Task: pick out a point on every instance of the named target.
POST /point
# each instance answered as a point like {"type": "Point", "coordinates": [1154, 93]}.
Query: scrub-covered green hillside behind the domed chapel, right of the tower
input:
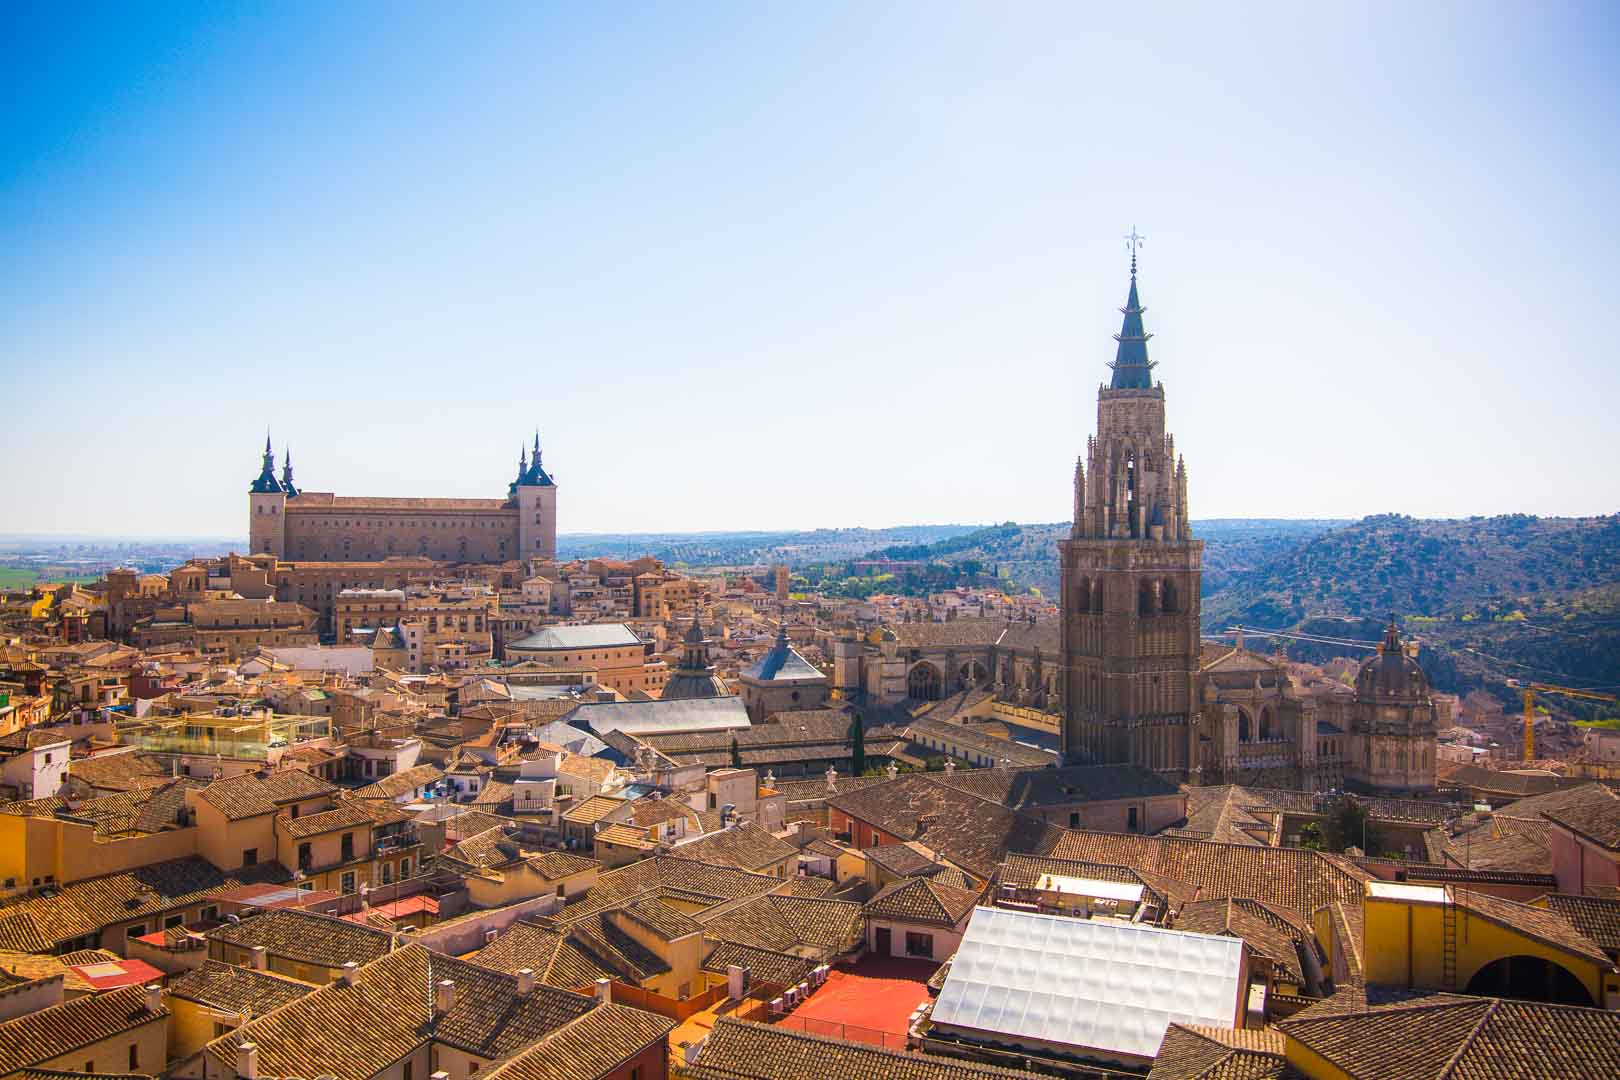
{"type": "Point", "coordinates": [1488, 598]}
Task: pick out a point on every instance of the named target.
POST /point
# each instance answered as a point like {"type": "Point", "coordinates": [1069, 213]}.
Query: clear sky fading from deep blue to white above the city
{"type": "Point", "coordinates": [777, 266]}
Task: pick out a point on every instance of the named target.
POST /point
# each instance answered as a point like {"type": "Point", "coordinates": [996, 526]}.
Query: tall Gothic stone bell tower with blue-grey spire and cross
{"type": "Point", "coordinates": [1132, 577]}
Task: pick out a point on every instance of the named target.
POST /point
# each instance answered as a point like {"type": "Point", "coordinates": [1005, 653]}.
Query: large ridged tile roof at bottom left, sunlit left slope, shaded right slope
{"type": "Point", "coordinates": [390, 1011]}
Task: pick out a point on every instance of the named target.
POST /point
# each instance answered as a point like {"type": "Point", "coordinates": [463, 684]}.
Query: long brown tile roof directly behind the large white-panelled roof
{"type": "Point", "coordinates": [1295, 878]}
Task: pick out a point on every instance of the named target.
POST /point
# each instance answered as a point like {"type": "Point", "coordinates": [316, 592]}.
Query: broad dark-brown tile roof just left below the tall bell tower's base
{"type": "Point", "coordinates": [966, 830]}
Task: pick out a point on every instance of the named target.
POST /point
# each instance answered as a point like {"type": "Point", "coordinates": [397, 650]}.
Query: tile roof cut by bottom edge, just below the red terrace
{"type": "Point", "coordinates": [738, 1050]}
